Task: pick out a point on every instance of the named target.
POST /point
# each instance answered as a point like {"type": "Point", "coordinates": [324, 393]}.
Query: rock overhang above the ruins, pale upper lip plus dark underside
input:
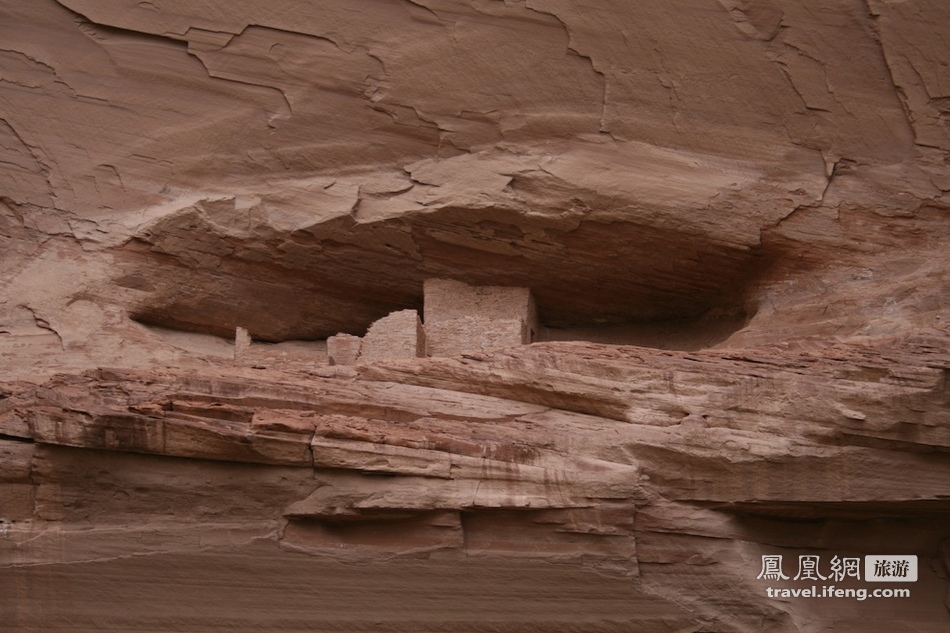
{"type": "Point", "coordinates": [597, 243]}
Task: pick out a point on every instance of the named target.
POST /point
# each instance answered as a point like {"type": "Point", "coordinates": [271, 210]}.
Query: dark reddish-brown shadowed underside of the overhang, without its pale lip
{"type": "Point", "coordinates": [326, 280]}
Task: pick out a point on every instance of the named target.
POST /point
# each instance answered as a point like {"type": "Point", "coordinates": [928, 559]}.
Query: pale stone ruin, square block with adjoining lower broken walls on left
{"type": "Point", "coordinates": [459, 319]}
